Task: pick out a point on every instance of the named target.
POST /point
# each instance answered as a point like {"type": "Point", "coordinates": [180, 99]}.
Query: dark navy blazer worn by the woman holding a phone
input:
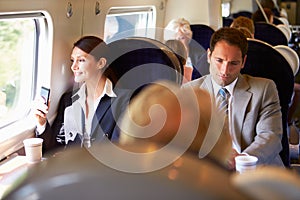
{"type": "Point", "coordinates": [108, 113]}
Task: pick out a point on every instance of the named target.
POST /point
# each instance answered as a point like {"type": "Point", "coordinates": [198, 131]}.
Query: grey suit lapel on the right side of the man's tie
{"type": "Point", "coordinates": [239, 105]}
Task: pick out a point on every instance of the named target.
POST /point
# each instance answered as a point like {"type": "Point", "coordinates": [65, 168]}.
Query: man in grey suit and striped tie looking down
{"type": "Point", "coordinates": [254, 114]}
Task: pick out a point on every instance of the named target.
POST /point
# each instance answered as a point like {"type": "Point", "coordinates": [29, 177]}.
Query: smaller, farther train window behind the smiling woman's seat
{"type": "Point", "coordinates": [129, 21]}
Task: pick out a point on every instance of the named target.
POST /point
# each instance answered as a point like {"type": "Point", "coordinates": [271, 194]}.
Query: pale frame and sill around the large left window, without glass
{"type": "Point", "coordinates": [13, 133]}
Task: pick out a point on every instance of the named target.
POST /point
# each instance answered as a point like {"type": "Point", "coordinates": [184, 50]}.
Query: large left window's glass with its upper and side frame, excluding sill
{"type": "Point", "coordinates": [20, 40]}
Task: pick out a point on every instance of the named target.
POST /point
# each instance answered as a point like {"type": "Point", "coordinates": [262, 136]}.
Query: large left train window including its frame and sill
{"type": "Point", "coordinates": [24, 48]}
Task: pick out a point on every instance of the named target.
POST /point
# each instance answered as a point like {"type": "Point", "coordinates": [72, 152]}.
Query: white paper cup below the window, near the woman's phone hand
{"type": "Point", "coordinates": [33, 149]}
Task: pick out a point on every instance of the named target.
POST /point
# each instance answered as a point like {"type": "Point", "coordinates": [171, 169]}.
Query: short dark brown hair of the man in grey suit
{"type": "Point", "coordinates": [231, 36]}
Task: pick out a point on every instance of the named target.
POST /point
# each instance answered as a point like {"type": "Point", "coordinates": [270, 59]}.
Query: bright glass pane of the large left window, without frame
{"type": "Point", "coordinates": [16, 52]}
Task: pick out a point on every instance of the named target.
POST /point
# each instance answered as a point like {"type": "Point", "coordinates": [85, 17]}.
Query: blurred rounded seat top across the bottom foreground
{"type": "Point", "coordinates": [109, 172]}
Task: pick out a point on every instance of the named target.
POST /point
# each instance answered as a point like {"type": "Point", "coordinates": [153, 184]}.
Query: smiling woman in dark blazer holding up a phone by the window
{"type": "Point", "coordinates": [91, 113]}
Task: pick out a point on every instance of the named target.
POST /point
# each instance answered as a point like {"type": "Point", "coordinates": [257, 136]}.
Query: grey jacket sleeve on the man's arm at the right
{"type": "Point", "coordinates": [267, 141]}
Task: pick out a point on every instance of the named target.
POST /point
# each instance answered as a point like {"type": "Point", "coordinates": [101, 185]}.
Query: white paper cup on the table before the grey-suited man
{"type": "Point", "coordinates": [245, 163]}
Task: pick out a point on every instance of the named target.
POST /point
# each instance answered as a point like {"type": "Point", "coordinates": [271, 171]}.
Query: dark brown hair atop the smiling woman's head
{"type": "Point", "coordinates": [92, 45]}
